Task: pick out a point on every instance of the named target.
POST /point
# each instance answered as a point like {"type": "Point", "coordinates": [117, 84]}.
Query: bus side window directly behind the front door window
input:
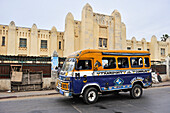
{"type": "Point", "coordinates": [108, 63]}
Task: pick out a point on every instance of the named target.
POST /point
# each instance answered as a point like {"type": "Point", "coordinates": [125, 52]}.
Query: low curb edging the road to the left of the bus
{"type": "Point", "coordinates": [7, 97]}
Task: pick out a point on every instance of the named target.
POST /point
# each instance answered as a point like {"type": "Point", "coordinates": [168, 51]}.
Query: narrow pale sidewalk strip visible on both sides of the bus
{"type": "Point", "coordinates": [5, 95]}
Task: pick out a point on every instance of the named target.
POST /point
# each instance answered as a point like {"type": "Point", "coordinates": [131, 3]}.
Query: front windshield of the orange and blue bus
{"type": "Point", "coordinates": [69, 64]}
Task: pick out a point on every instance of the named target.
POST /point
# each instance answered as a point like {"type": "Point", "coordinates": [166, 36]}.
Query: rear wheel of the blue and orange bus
{"type": "Point", "coordinates": [136, 91]}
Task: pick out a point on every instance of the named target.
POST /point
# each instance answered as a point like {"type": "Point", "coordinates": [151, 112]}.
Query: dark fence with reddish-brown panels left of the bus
{"type": "Point", "coordinates": [32, 64]}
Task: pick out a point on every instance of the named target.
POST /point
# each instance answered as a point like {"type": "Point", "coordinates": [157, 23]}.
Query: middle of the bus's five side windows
{"type": "Point", "coordinates": [123, 63]}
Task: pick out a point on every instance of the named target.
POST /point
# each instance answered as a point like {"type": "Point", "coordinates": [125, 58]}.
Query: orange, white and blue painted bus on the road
{"type": "Point", "coordinates": [91, 72]}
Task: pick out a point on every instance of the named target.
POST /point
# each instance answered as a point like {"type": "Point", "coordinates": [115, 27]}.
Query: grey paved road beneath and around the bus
{"type": "Point", "coordinates": [154, 100]}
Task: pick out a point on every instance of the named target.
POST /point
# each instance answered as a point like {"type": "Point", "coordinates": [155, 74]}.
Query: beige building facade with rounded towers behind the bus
{"type": "Point", "coordinates": [95, 31]}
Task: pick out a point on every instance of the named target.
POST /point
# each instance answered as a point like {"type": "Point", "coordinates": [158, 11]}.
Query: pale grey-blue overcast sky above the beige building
{"type": "Point", "coordinates": [143, 18]}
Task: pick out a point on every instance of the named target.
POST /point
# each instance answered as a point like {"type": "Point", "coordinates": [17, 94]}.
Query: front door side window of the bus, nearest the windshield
{"type": "Point", "coordinates": [84, 64]}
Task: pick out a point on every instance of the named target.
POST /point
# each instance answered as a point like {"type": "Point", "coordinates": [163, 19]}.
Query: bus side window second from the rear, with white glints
{"type": "Point", "coordinates": [136, 62]}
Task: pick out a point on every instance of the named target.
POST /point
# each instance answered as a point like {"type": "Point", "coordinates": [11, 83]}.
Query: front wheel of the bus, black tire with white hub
{"type": "Point", "coordinates": [90, 95]}
